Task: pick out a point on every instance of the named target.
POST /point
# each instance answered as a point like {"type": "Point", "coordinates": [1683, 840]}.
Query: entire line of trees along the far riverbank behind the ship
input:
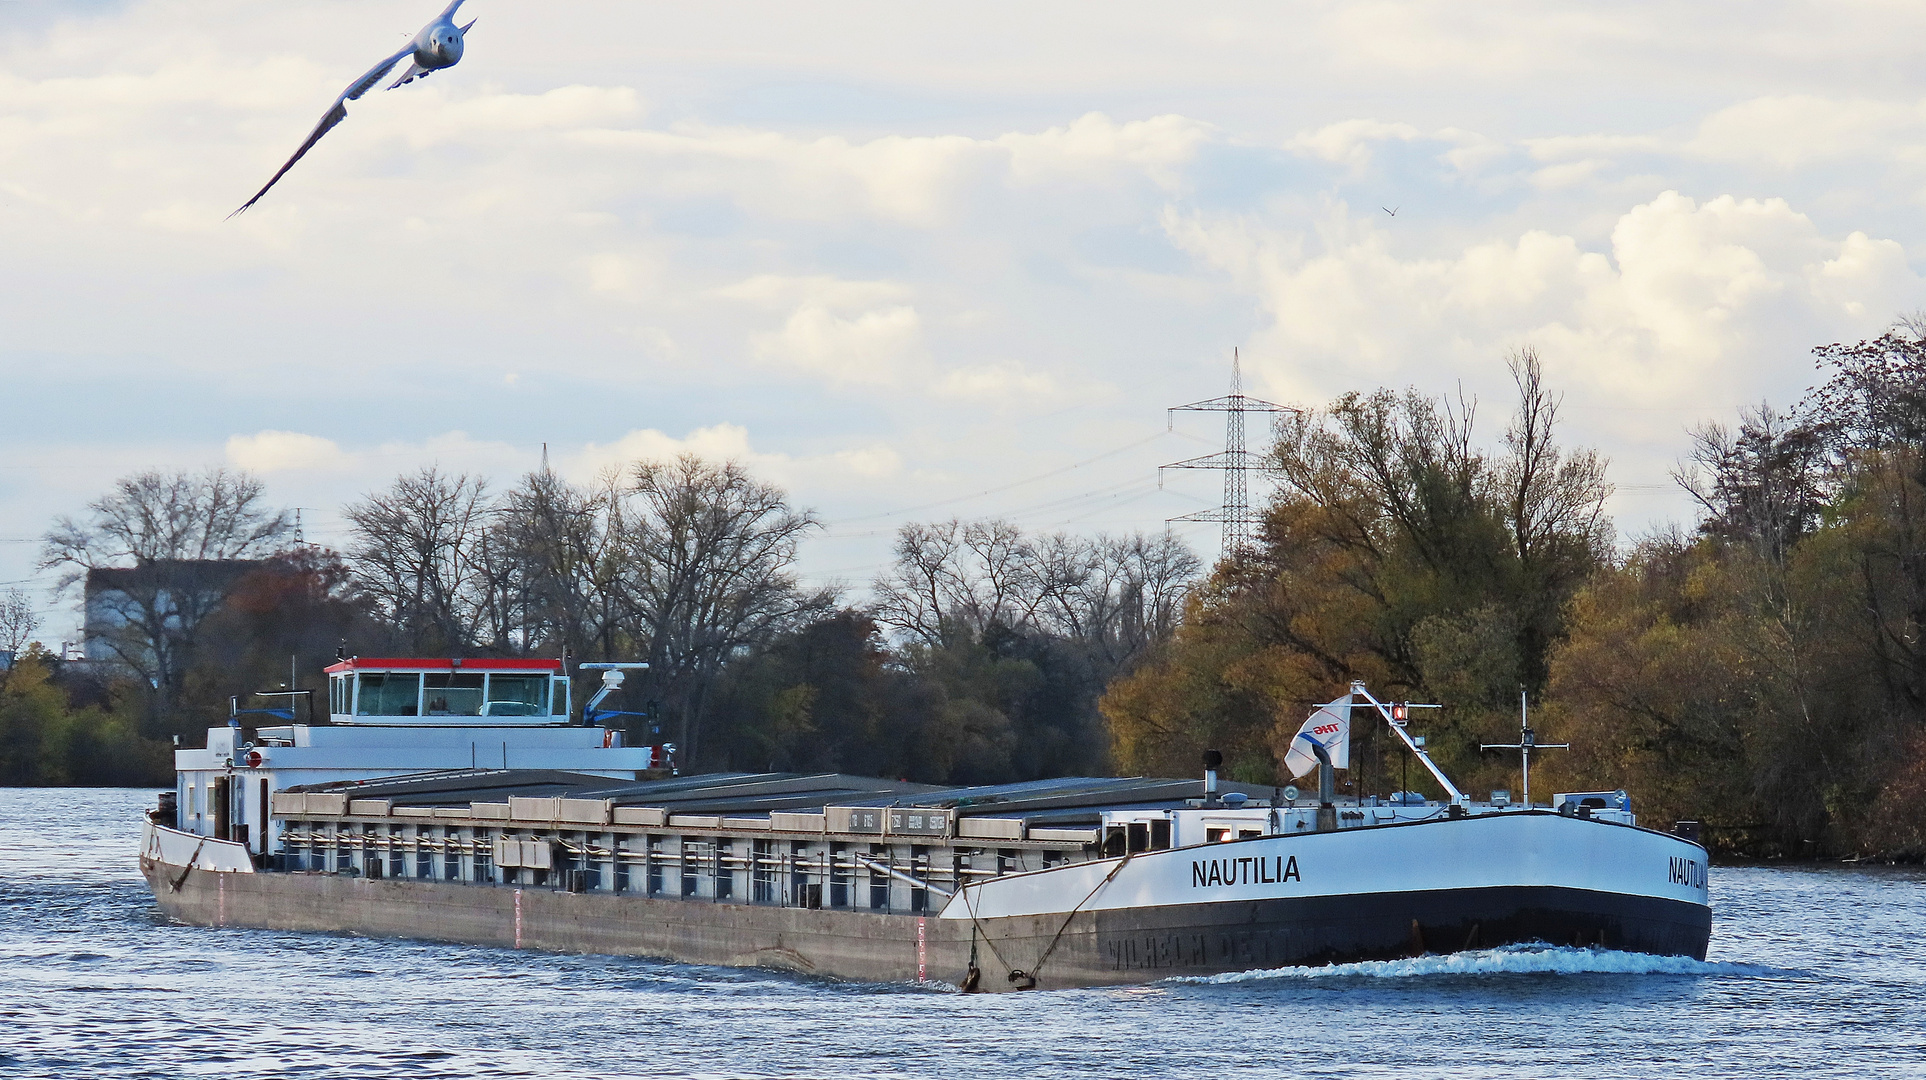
{"type": "Point", "coordinates": [1759, 669]}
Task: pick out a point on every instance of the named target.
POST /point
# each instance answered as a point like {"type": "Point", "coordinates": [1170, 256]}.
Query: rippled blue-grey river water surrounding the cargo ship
{"type": "Point", "coordinates": [1813, 973]}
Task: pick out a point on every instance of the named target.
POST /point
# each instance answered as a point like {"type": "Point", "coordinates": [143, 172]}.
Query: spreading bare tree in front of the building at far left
{"type": "Point", "coordinates": [163, 552]}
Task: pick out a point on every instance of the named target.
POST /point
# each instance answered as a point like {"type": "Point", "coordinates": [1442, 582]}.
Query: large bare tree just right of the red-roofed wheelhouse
{"type": "Point", "coordinates": [708, 555]}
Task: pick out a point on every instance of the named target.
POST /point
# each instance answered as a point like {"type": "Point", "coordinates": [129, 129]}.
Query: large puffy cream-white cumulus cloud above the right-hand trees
{"type": "Point", "coordinates": [1686, 305]}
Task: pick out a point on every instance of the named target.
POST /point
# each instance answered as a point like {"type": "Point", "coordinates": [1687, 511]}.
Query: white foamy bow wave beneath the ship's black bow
{"type": "Point", "coordinates": [1509, 960]}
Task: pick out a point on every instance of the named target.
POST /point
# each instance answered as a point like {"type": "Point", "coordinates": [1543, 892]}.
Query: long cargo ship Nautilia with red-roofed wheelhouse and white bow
{"type": "Point", "coordinates": [469, 802]}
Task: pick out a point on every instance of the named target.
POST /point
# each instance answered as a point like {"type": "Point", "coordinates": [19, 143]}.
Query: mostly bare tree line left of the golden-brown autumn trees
{"type": "Point", "coordinates": [977, 656]}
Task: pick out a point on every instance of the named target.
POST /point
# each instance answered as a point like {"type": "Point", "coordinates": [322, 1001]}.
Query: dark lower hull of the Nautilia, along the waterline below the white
{"type": "Point", "coordinates": [1047, 950]}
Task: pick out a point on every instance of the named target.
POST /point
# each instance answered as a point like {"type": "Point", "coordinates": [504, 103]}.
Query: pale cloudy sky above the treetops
{"type": "Point", "coordinates": [920, 261]}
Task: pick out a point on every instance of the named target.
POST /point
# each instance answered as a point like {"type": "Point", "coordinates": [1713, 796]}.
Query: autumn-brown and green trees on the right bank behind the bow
{"type": "Point", "coordinates": [1761, 671]}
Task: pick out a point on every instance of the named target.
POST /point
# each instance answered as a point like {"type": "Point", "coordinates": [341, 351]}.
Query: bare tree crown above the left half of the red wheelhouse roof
{"type": "Point", "coordinates": [421, 552]}
